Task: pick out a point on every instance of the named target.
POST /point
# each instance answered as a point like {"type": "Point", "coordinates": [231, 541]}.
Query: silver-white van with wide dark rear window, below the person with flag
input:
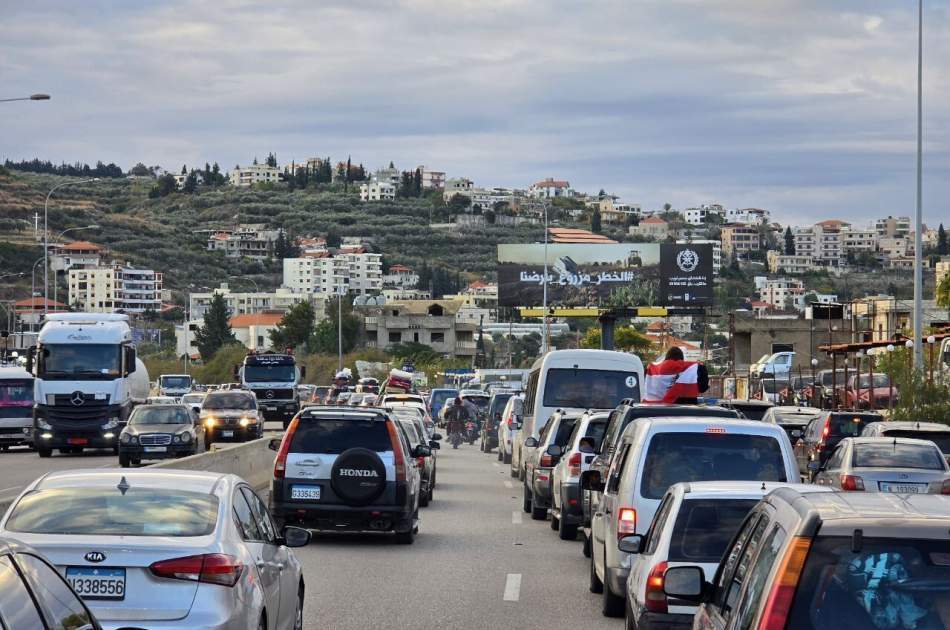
{"type": "Point", "coordinates": [655, 453]}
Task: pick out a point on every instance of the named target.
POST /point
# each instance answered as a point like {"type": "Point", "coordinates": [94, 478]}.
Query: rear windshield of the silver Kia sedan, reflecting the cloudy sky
{"type": "Point", "coordinates": [110, 512]}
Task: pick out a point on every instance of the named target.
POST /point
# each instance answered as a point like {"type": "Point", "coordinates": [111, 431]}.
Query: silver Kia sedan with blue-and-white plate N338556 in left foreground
{"type": "Point", "coordinates": [164, 549]}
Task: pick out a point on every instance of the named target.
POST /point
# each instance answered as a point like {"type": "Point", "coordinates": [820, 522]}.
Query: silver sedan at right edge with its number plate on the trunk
{"type": "Point", "coordinates": [898, 465]}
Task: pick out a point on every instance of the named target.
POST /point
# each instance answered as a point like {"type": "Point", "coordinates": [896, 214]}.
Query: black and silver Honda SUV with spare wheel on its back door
{"type": "Point", "coordinates": [347, 470]}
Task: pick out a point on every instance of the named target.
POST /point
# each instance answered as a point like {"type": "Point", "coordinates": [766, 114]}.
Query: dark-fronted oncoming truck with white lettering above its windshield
{"type": "Point", "coordinates": [273, 378]}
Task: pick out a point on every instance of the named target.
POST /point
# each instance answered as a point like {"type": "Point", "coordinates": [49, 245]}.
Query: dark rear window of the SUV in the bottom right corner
{"type": "Point", "coordinates": [890, 583]}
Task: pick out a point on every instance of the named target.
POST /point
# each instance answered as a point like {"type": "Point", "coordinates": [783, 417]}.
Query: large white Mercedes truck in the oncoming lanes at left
{"type": "Point", "coordinates": [87, 379]}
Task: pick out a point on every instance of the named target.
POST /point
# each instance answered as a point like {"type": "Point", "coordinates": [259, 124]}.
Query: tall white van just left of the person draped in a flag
{"type": "Point", "coordinates": [575, 380]}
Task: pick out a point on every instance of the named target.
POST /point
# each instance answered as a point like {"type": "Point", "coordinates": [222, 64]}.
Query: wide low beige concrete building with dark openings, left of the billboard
{"type": "Point", "coordinates": [429, 322]}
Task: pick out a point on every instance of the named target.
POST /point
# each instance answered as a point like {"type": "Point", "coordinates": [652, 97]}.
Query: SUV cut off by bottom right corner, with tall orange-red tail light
{"type": "Point", "coordinates": [810, 559]}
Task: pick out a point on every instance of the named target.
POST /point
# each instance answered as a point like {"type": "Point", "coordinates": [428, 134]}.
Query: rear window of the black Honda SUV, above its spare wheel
{"type": "Point", "coordinates": [332, 437]}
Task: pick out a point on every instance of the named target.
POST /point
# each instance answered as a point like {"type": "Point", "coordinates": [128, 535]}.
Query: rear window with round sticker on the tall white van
{"type": "Point", "coordinates": [589, 389]}
